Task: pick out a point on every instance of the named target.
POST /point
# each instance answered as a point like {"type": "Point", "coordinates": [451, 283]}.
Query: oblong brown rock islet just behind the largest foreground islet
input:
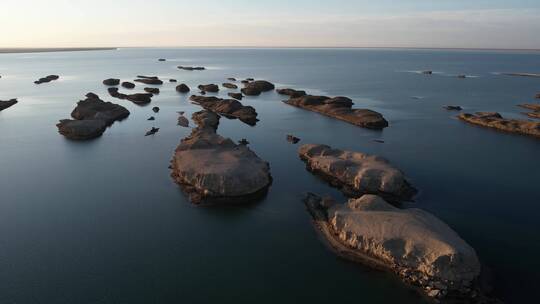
{"type": "Point", "coordinates": [357, 173]}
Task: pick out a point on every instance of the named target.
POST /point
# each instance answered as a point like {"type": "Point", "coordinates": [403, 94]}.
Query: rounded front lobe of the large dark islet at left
{"type": "Point", "coordinates": [81, 129]}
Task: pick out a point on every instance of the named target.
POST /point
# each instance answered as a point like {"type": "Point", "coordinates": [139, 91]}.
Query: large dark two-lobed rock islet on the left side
{"type": "Point", "coordinates": [91, 117]}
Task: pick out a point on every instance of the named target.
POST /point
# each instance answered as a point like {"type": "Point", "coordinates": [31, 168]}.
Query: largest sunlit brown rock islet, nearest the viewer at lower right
{"type": "Point", "coordinates": [413, 243]}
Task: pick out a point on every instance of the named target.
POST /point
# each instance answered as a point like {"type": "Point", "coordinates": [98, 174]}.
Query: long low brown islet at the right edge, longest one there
{"type": "Point", "coordinates": [496, 121]}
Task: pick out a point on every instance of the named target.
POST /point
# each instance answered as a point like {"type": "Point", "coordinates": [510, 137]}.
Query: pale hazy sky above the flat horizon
{"type": "Point", "coordinates": [271, 23]}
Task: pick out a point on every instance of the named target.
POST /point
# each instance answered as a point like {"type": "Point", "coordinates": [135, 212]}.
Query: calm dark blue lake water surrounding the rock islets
{"type": "Point", "coordinates": [102, 222]}
